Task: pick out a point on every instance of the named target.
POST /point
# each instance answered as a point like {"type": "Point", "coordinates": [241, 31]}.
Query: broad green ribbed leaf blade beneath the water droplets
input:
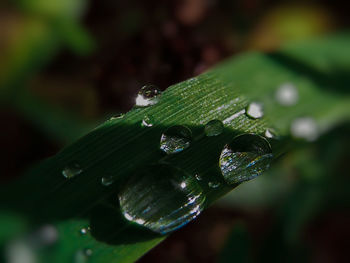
{"type": "Point", "coordinates": [121, 146]}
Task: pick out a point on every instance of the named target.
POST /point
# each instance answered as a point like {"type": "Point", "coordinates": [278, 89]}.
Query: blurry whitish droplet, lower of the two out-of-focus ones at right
{"type": "Point", "coordinates": [305, 128]}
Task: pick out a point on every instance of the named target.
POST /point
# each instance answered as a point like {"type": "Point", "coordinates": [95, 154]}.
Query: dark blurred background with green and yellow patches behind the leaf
{"type": "Point", "coordinates": [67, 65]}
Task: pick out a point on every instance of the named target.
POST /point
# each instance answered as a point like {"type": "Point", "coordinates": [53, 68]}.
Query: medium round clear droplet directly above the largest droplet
{"type": "Point", "coordinates": [175, 139]}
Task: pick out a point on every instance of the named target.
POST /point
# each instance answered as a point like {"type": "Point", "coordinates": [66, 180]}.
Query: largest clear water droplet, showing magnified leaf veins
{"type": "Point", "coordinates": [161, 198]}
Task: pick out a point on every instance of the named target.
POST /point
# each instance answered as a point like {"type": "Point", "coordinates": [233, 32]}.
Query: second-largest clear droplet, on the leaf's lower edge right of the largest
{"type": "Point", "coordinates": [245, 158]}
